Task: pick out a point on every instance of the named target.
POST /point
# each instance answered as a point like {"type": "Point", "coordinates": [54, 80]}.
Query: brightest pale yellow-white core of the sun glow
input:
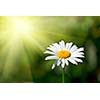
{"type": "Point", "coordinates": [20, 25]}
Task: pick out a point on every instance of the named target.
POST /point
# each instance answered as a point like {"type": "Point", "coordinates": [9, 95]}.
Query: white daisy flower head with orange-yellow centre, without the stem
{"type": "Point", "coordinates": [64, 53]}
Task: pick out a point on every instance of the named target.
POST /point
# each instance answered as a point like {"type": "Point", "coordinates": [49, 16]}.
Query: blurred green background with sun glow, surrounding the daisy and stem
{"type": "Point", "coordinates": [21, 49]}
